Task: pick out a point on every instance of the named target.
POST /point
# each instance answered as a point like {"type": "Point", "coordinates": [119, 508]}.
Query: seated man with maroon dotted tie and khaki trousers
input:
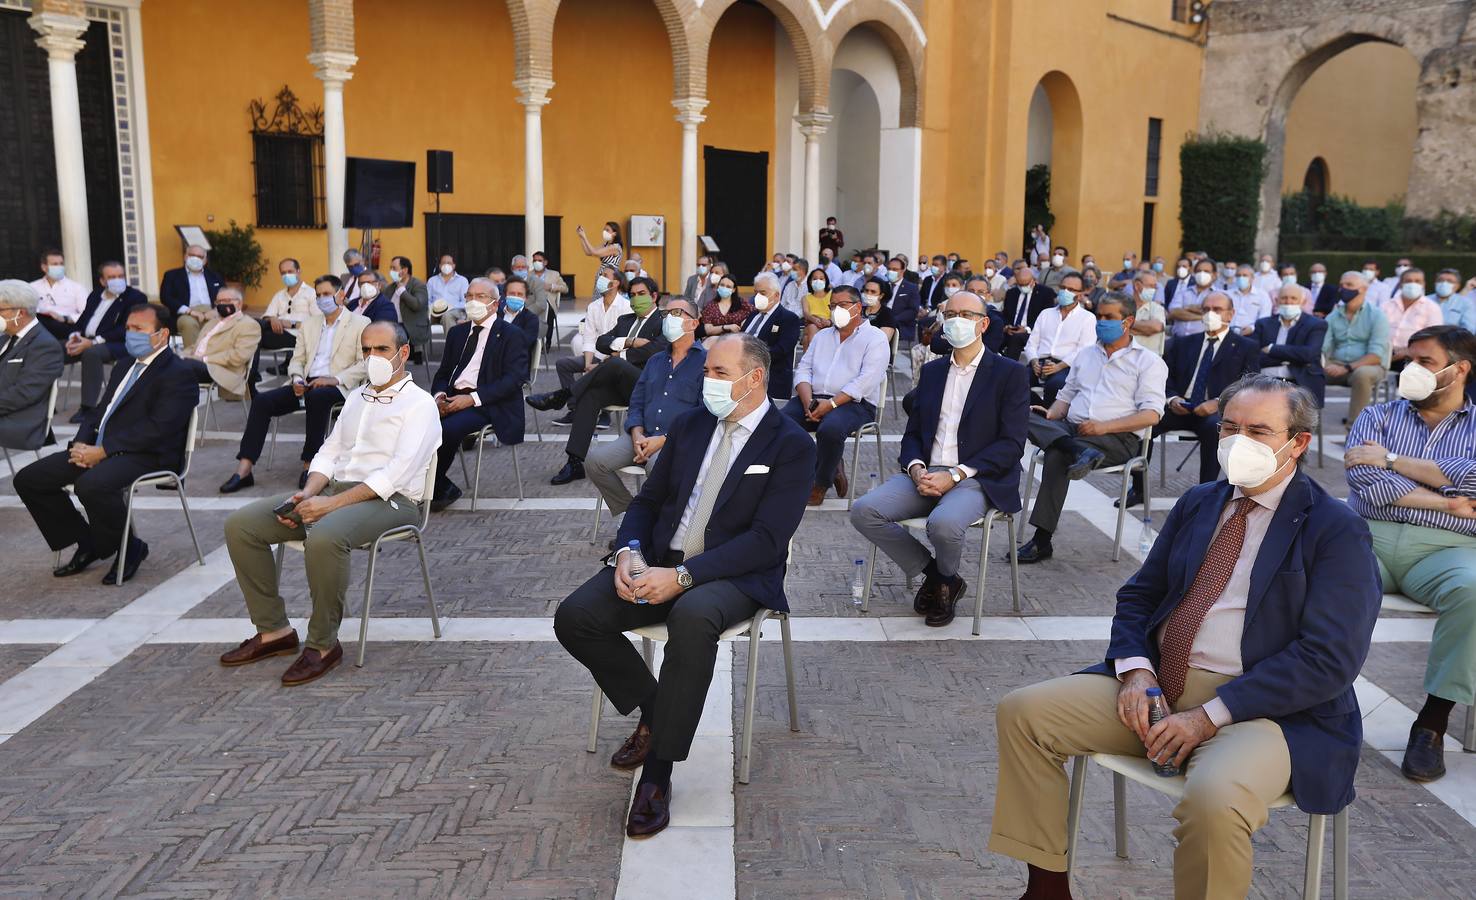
{"type": "Point", "coordinates": [1254, 616]}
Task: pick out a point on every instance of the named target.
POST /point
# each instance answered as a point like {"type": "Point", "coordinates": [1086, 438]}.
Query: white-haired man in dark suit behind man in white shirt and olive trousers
{"type": "Point", "coordinates": [477, 384]}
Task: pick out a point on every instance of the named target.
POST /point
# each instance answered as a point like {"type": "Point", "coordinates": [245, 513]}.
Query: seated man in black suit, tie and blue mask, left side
{"type": "Point", "coordinates": [139, 427]}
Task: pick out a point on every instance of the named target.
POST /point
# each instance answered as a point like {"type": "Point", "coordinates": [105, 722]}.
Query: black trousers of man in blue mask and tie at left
{"type": "Point", "coordinates": [100, 491]}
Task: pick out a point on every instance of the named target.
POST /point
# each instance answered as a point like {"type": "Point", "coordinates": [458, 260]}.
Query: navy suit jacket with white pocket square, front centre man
{"type": "Point", "coordinates": [758, 511]}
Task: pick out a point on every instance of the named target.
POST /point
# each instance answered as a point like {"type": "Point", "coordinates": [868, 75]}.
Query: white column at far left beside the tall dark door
{"type": "Point", "coordinates": [61, 39]}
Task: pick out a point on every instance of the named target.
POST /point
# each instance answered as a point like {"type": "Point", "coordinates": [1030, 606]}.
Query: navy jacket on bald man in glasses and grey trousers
{"type": "Point", "coordinates": [991, 433]}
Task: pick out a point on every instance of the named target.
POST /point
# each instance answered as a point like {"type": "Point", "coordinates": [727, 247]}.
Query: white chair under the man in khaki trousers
{"type": "Point", "coordinates": [1142, 771]}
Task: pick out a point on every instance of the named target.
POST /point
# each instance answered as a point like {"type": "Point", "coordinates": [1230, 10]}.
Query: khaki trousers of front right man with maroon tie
{"type": "Point", "coordinates": [1230, 781]}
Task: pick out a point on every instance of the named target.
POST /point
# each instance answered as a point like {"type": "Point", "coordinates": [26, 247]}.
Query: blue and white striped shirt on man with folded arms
{"type": "Point", "coordinates": [1401, 430]}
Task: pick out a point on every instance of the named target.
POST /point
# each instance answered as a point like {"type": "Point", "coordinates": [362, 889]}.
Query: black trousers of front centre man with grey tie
{"type": "Point", "coordinates": [591, 625]}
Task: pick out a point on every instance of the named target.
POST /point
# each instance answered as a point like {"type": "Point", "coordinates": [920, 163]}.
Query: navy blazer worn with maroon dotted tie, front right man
{"type": "Point", "coordinates": [1310, 616]}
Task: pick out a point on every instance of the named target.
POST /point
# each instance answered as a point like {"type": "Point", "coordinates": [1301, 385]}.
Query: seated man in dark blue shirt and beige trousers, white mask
{"type": "Point", "coordinates": [669, 386]}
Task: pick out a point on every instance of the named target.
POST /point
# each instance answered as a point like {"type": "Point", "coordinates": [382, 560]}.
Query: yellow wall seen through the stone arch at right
{"type": "Point", "coordinates": [1359, 114]}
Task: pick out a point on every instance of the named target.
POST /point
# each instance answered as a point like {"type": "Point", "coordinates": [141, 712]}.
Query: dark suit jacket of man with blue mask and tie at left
{"type": "Point", "coordinates": [153, 418]}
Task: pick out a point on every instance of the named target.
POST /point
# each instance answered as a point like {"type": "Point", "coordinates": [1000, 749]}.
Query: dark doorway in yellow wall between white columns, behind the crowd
{"type": "Point", "coordinates": [737, 209]}
